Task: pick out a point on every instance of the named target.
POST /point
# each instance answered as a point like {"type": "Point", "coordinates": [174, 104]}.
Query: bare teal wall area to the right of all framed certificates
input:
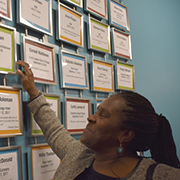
{"type": "Point", "coordinates": [155, 30]}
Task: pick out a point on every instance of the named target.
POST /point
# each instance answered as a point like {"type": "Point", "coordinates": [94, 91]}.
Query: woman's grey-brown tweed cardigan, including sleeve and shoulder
{"type": "Point", "coordinates": [75, 157]}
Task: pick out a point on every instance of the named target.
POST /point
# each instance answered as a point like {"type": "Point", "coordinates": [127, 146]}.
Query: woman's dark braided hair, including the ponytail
{"type": "Point", "coordinates": [152, 131]}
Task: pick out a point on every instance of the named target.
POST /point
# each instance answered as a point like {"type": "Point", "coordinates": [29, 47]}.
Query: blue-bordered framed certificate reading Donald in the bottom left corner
{"type": "Point", "coordinates": [10, 163]}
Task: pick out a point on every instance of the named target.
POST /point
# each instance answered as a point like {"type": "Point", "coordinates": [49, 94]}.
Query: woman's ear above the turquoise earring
{"type": "Point", "coordinates": [126, 135]}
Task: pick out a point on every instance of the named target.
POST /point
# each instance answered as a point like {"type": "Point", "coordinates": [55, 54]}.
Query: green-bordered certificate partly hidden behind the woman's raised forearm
{"type": "Point", "coordinates": [54, 105]}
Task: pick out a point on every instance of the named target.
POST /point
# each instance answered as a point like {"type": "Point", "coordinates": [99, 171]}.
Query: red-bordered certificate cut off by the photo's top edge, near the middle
{"type": "Point", "coordinates": [98, 7]}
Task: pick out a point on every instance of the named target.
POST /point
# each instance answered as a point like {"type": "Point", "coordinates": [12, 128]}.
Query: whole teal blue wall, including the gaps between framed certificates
{"type": "Point", "coordinates": [155, 28]}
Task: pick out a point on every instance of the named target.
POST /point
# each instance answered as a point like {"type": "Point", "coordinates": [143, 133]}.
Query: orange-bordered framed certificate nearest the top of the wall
{"type": "Point", "coordinates": [70, 26]}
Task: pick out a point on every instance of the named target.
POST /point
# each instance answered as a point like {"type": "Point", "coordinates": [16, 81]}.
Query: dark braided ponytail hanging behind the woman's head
{"type": "Point", "coordinates": [163, 149]}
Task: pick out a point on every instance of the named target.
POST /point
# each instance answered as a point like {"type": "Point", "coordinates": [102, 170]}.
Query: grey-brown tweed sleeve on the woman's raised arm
{"type": "Point", "coordinates": [56, 135]}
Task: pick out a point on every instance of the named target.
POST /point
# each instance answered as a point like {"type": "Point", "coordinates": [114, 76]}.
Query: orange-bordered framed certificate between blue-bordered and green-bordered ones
{"type": "Point", "coordinates": [103, 76]}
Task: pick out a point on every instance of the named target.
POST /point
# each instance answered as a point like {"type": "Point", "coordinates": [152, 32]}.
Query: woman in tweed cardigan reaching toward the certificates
{"type": "Point", "coordinates": [124, 124]}
